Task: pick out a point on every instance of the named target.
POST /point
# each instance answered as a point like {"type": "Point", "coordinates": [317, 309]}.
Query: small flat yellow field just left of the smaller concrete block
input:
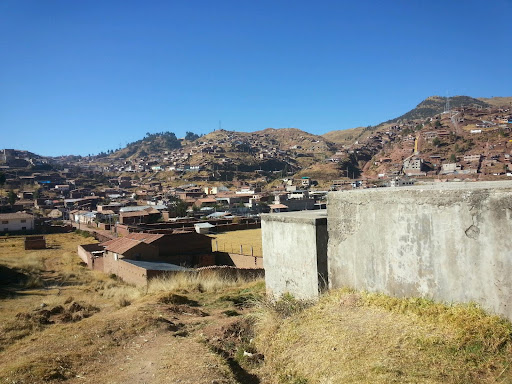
{"type": "Point", "coordinates": [231, 242]}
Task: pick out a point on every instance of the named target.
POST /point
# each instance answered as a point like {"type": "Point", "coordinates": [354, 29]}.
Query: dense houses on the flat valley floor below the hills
{"type": "Point", "coordinates": [71, 194]}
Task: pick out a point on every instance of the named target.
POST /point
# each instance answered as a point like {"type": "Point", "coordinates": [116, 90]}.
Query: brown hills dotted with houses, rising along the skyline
{"type": "Point", "coordinates": [472, 127]}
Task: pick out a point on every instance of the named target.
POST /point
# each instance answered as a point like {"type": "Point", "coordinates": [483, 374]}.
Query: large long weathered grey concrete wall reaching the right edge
{"type": "Point", "coordinates": [449, 242]}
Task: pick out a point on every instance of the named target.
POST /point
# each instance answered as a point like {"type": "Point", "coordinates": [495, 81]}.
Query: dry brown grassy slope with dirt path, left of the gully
{"type": "Point", "coordinates": [48, 334]}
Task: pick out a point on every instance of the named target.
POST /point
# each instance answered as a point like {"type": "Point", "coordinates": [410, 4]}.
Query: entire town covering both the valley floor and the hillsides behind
{"type": "Point", "coordinates": [208, 174]}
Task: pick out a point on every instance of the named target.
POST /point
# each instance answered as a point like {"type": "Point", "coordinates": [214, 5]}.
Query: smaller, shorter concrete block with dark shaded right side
{"type": "Point", "coordinates": [294, 252]}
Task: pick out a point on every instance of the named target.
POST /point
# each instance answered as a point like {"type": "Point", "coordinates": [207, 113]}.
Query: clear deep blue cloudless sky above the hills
{"type": "Point", "coordinates": [80, 77]}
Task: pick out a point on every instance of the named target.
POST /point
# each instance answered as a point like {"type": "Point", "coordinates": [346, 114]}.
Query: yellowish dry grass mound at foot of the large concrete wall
{"type": "Point", "coordinates": [362, 338]}
